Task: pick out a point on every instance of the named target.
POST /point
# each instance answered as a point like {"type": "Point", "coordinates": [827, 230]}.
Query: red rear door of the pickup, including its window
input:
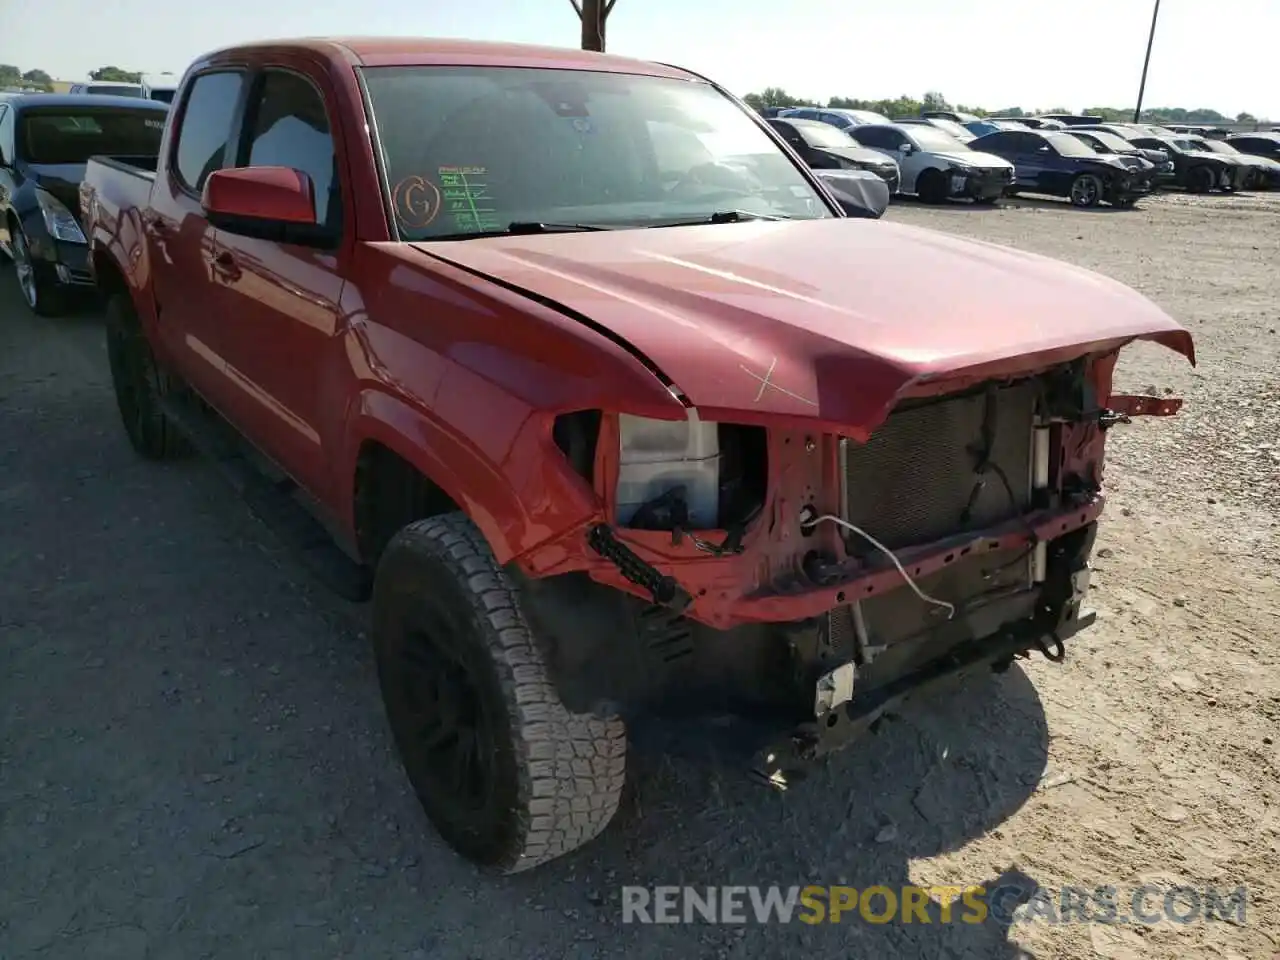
{"type": "Point", "coordinates": [181, 237]}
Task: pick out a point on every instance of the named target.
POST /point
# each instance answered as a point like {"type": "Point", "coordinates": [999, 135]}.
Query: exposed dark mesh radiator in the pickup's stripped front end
{"type": "Point", "coordinates": [916, 482]}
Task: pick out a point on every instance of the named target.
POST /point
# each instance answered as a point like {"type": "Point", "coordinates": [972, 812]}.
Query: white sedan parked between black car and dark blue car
{"type": "Point", "coordinates": [936, 166]}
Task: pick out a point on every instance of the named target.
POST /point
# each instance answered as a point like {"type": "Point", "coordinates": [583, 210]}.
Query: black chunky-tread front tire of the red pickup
{"type": "Point", "coordinates": [557, 778]}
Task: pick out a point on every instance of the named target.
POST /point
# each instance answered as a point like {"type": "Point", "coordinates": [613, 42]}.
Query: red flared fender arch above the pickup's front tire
{"type": "Point", "coordinates": [469, 479]}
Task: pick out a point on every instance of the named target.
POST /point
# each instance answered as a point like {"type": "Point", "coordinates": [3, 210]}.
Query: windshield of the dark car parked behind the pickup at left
{"type": "Point", "coordinates": [66, 136]}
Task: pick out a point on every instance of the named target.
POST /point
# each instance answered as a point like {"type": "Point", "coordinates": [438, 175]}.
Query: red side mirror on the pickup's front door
{"type": "Point", "coordinates": [268, 203]}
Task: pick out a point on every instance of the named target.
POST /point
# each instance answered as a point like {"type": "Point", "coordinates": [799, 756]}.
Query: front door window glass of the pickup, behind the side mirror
{"type": "Point", "coordinates": [289, 127]}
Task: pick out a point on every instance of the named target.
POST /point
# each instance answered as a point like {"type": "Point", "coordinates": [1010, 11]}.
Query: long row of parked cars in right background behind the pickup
{"type": "Point", "coordinates": [944, 156]}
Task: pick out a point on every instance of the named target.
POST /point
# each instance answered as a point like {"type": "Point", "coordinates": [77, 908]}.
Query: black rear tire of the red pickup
{"type": "Point", "coordinates": [140, 383]}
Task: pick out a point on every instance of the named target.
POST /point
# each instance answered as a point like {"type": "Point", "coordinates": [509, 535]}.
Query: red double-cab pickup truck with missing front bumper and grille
{"type": "Point", "coordinates": [573, 365]}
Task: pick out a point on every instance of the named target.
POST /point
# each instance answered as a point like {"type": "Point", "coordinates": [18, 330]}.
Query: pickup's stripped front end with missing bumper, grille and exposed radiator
{"type": "Point", "coordinates": [816, 579]}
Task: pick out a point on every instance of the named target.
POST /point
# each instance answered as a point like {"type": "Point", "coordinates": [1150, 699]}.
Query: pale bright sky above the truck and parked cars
{"type": "Point", "coordinates": [981, 53]}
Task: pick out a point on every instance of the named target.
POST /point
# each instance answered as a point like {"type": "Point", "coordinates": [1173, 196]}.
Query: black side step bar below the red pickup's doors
{"type": "Point", "coordinates": [269, 501]}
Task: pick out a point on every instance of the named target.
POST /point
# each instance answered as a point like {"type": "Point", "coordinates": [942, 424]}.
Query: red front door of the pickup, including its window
{"type": "Point", "coordinates": [278, 304]}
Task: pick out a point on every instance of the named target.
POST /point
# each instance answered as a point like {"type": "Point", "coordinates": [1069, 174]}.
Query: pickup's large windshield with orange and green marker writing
{"type": "Point", "coordinates": [476, 149]}
